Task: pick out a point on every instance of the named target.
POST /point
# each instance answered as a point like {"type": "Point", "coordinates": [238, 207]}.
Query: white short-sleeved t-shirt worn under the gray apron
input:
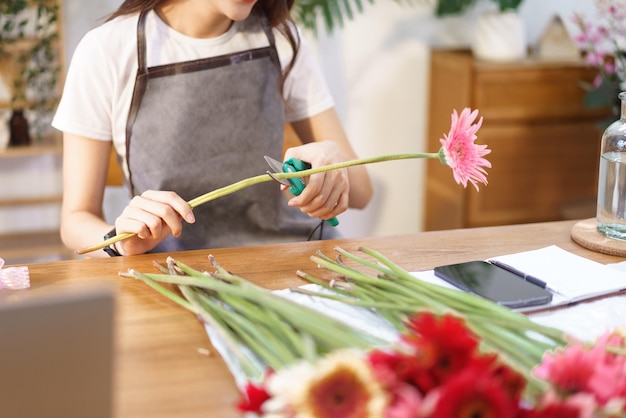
{"type": "Point", "coordinates": [100, 80]}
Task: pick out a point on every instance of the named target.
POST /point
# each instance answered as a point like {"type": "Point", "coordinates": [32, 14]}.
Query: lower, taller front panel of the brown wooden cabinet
{"type": "Point", "coordinates": [536, 170]}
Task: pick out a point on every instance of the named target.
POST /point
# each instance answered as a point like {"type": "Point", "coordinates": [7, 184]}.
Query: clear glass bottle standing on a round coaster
{"type": "Point", "coordinates": [611, 210]}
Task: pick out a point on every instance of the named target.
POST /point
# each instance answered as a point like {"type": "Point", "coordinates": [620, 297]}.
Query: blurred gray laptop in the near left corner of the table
{"type": "Point", "coordinates": [56, 354]}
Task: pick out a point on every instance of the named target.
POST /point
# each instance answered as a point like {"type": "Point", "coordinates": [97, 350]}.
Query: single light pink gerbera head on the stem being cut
{"type": "Point", "coordinates": [461, 153]}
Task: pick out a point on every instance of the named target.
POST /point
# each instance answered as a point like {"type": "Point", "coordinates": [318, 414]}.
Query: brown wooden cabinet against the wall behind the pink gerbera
{"type": "Point", "coordinates": [544, 141]}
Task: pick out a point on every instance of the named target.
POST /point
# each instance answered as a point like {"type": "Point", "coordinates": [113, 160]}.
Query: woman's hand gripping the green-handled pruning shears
{"type": "Point", "coordinates": [326, 194]}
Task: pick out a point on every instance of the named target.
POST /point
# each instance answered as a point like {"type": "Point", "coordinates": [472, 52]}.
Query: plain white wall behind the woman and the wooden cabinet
{"type": "Point", "coordinates": [377, 68]}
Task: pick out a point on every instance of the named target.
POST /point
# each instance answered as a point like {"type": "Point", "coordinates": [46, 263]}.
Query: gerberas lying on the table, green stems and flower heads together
{"type": "Point", "coordinates": [457, 355]}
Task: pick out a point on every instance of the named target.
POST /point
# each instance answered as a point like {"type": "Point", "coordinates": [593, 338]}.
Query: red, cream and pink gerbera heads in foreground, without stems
{"type": "Point", "coordinates": [436, 371]}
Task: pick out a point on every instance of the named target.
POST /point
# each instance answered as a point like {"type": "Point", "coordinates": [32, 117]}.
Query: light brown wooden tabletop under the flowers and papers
{"type": "Point", "coordinates": [159, 369]}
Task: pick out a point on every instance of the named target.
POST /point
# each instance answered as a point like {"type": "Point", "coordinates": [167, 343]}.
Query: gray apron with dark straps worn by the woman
{"type": "Point", "coordinates": [200, 125]}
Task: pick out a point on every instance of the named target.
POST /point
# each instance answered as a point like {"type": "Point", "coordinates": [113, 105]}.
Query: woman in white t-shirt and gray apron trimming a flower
{"type": "Point", "coordinates": [192, 94]}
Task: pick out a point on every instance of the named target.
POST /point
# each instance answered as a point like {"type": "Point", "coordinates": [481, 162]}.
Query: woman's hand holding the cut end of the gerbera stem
{"type": "Point", "coordinates": [152, 217]}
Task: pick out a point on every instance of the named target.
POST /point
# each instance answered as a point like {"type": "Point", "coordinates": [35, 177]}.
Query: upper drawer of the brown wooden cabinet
{"type": "Point", "coordinates": [532, 93]}
